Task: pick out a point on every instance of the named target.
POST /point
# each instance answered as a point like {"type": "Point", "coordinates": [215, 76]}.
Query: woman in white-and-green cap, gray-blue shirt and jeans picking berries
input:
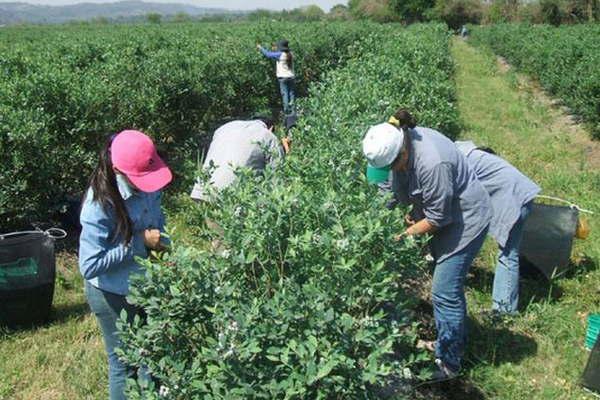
{"type": "Point", "coordinates": [449, 203]}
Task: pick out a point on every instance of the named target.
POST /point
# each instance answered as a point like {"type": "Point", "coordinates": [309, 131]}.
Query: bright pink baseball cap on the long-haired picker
{"type": "Point", "coordinates": [134, 154]}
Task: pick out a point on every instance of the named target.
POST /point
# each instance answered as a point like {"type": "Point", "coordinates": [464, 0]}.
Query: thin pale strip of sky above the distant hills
{"type": "Point", "coordinates": [230, 4]}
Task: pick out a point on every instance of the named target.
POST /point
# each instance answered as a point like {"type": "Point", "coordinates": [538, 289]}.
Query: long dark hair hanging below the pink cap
{"type": "Point", "coordinates": [106, 192]}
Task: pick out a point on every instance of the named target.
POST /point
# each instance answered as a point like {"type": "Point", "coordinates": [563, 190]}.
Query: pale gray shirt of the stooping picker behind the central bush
{"type": "Point", "coordinates": [238, 144]}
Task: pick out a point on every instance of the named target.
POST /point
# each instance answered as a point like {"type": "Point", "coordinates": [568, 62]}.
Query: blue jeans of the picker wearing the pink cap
{"type": "Point", "coordinates": [107, 308]}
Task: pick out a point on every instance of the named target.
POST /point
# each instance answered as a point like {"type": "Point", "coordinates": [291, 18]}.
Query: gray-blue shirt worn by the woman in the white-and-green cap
{"type": "Point", "coordinates": [444, 190]}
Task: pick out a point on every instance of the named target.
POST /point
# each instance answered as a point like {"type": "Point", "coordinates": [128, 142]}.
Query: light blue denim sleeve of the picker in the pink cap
{"type": "Point", "coordinates": [97, 252]}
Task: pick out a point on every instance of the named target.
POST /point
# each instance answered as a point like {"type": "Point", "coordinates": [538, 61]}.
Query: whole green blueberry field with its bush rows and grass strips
{"type": "Point", "coordinates": [301, 292]}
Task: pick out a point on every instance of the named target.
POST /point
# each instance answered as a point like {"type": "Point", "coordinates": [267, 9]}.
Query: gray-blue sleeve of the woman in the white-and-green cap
{"type": "Point", "coordinates": [438, 194]}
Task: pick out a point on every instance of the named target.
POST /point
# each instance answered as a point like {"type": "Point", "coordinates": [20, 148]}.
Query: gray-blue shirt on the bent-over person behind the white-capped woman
{"type": "Point", "coordinates": [508, 188]}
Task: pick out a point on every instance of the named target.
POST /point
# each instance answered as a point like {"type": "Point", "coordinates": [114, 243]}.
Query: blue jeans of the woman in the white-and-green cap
{"type": "Point", "coordinates": [450, 304]}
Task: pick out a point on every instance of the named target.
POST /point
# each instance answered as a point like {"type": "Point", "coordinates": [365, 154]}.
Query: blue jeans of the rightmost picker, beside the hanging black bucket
{"type": "Point", "coordinates": [505, 295]}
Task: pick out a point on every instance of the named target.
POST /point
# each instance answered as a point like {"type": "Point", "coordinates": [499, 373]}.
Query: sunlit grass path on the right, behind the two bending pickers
{"type": "Point", "coordinates": [538, 355]}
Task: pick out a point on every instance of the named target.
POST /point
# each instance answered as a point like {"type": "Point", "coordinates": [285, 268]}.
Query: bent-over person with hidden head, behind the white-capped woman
{"type": "Point", "coordinates": [512, 195]}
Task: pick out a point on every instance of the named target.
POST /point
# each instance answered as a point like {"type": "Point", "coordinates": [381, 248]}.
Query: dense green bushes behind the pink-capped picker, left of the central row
{"type": "Point", "coordinates": [64, 89]}
